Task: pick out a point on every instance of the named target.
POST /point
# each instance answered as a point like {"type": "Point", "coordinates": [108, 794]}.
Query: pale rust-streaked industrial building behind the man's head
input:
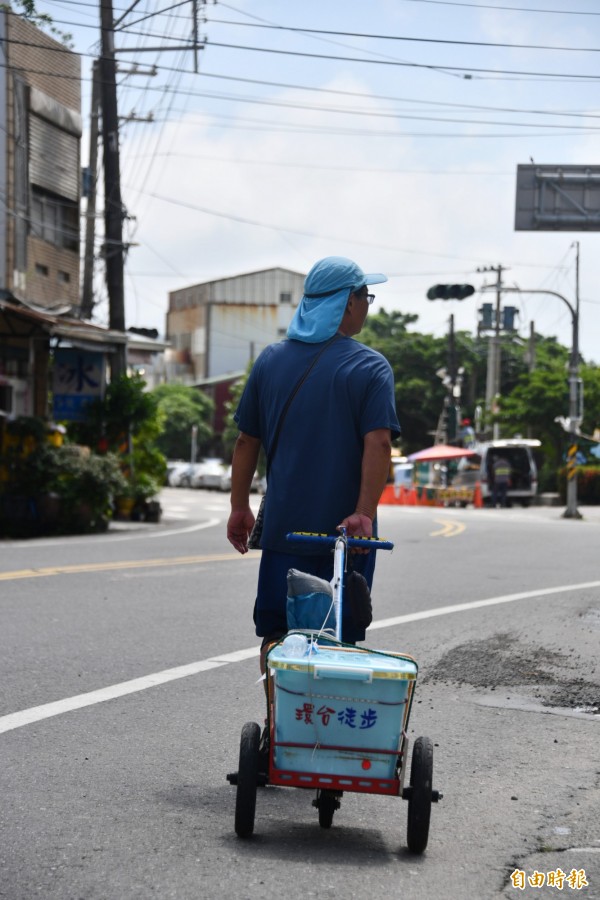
{"type": "Point", "coordinates": [217, 327]}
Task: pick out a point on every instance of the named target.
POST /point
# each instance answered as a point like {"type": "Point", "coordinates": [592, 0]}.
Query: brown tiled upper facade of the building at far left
{"type": "Point", "coordinates": [40, 107]}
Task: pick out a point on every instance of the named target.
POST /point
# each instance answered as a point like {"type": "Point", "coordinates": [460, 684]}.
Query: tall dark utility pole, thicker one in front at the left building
{"type": "Point", "coordinates": [113, 207]}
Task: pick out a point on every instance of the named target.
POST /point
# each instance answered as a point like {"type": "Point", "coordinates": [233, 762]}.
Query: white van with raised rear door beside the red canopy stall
{"type": "Point", "coordinates": [477, 468]}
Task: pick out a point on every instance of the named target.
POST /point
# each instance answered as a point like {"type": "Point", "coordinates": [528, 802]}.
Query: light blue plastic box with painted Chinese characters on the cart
{"type": "Point", "coordinates": [340, 712]}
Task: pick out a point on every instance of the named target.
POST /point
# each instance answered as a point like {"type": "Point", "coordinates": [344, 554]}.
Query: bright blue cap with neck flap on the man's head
{"type": "Point", "coordinates": [326, 290]}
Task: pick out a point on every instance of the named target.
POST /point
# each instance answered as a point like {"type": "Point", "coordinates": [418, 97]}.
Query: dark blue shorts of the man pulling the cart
{"type": "Point", "coordinates": [271, 598]}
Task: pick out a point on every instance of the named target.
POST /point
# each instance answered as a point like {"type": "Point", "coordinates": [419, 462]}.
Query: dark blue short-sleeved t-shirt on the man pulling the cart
{"type": "Point", "coordinates": [315, 474]}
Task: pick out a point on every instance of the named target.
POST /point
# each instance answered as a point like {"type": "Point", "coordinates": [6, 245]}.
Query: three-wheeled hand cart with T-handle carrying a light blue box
{"type": "Point", "coordinates": [337, 720]}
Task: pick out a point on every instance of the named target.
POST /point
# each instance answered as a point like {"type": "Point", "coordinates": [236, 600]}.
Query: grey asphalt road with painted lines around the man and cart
{"type": "Point", "coordinates": [128, 665]}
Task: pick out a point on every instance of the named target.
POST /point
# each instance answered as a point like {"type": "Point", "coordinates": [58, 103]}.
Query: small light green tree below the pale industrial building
{"type": "Point", "coordinates": [180, 409]}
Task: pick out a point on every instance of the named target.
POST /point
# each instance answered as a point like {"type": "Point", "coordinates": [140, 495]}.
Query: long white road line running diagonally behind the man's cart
{"type": "Point", "coordinates": [80, 701]}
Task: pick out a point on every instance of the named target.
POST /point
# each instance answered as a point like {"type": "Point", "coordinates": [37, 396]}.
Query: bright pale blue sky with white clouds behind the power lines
{"type": "Point", "coordinates": [393, 139]}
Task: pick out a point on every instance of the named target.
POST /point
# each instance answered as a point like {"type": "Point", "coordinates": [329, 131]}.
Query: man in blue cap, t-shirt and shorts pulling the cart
{"type": "Point", "coordinates": [322, 405]}
